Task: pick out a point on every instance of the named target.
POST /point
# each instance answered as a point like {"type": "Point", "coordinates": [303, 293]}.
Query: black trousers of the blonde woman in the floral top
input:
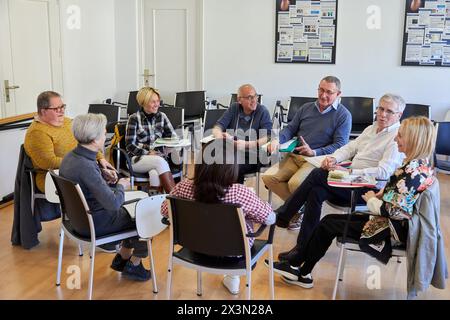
{"type": "Point", "coordinates": [330, 227]}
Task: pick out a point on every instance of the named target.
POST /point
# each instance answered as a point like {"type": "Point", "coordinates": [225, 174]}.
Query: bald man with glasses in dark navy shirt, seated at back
{"type": "Point", "coordinates": [248, 123]}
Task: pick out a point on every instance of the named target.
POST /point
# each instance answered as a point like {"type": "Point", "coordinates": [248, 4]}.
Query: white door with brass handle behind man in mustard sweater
{"type": "Point", "coordinates": [30, 57]}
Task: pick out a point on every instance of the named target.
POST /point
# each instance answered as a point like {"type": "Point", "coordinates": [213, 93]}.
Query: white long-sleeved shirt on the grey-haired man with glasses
{"type": "Point", "coordinates": [372, 153]}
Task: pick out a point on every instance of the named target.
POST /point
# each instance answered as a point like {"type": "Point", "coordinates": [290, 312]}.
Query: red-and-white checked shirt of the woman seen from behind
{"type": "Point", "coordinates": [254, 209]}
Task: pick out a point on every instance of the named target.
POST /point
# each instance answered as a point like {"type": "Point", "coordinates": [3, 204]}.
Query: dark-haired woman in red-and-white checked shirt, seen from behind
{"type": "Point", "coordinates": [216, 182]}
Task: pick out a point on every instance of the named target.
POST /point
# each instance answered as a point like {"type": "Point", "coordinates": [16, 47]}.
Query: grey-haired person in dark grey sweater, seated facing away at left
{"type": "Point", "coordinates": [105, 202]}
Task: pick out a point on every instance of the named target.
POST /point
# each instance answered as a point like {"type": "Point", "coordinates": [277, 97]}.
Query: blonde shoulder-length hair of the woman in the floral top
{"type": "Point", "coordinates": [419, 134]}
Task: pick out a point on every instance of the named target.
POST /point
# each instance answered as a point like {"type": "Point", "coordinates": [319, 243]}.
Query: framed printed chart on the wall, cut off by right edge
{"type": "Point", "coordinates": [426, 40]}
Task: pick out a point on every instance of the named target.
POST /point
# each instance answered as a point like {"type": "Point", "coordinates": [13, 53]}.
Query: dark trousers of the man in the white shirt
{"type": "Point", "coordinates": [312, 193]}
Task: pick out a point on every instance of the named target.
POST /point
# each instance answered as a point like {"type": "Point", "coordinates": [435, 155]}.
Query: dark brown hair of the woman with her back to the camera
{"type": "Point", "coordinates": [216, 172]}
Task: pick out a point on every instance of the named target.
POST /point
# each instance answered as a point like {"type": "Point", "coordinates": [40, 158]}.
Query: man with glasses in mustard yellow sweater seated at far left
{"type": "Point", "coordinates": [49, 137]}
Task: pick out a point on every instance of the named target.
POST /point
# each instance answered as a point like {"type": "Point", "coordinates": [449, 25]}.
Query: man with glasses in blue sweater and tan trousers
{"type": "Point", "coordinates": [320, 127]}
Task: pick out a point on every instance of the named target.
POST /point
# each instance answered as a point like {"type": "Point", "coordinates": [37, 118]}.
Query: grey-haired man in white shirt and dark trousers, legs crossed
{"type": "Point", "coordinates": [373, 153]}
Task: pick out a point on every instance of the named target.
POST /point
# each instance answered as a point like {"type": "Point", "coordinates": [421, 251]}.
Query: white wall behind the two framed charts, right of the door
{"type": "Point", "coordinates": [239, 48]}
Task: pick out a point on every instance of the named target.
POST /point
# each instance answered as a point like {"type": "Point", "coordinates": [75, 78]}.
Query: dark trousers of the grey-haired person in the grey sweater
{"type": "Point", "coordinates": [110, 222]}
